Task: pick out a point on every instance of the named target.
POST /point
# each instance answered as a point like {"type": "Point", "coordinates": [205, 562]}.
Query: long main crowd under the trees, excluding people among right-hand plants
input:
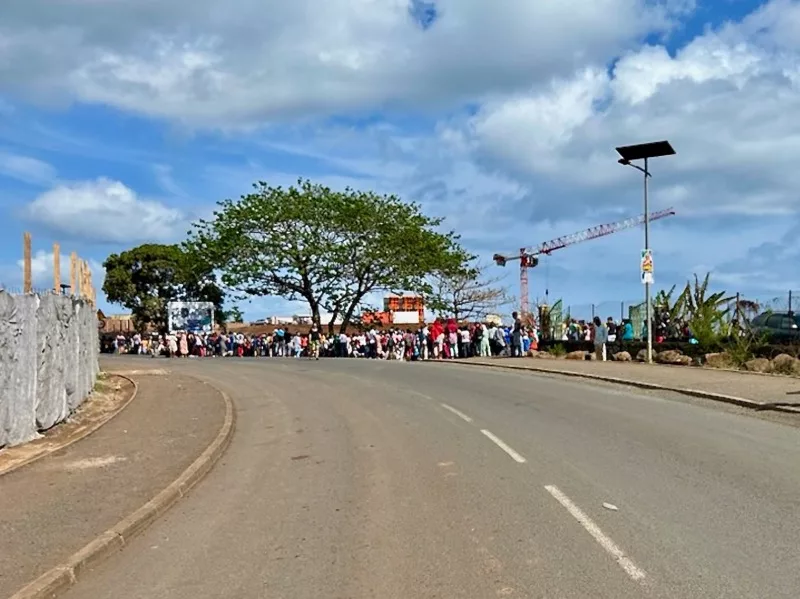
{"type": "Point", "coordinates": [443, 339]}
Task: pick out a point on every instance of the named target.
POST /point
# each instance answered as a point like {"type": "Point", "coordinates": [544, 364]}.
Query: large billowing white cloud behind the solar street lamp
{"type": "Point", "coordinates": [726, 101]}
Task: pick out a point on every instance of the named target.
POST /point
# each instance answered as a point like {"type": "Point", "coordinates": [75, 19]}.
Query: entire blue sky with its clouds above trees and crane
{"type": "Point", "coordinates": [122, 121]}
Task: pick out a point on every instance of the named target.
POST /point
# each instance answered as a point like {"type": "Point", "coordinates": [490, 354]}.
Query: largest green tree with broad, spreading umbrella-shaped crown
{"type": "Point", "coordinates": [330, 248]}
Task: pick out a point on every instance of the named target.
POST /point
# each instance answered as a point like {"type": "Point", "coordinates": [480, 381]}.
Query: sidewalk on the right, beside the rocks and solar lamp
{"type": "Point", "coordinates": [763, 389]}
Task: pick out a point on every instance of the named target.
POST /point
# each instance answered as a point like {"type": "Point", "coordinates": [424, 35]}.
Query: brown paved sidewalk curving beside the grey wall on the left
{"type": "Point", "coordinates": [55, 506]}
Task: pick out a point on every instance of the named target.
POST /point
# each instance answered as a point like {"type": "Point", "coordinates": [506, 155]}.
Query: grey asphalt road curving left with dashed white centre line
{"type": "Point", "coordinates": [359, 479]}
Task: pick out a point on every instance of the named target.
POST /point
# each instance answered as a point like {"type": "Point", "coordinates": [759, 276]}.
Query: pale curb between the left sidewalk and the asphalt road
{"type": "Point", "coordinates": [61, 577]}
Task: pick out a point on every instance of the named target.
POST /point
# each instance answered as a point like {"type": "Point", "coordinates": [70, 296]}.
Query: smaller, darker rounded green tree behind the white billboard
{"type": "Point", "coordinates": [146, 278]}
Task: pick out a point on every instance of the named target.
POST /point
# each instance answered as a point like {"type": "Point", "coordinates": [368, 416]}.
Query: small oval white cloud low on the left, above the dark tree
{"type": "Point", "coordinates": [106, 211]}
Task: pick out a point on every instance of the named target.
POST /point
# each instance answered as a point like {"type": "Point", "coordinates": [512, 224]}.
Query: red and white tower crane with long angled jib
{"type": "Point", "coordinates": [528, 256]}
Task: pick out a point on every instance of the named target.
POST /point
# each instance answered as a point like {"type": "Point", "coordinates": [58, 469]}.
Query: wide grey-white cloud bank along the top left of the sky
{"type": "Point", "coordinates": [207, 64]}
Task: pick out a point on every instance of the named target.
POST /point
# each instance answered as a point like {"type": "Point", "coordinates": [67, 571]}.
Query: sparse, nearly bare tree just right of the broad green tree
{"type": "Point", "coordinates": [467, 293]}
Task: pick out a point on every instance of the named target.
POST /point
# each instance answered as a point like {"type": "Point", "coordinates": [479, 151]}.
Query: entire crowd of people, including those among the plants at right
{"type": "Point", "coordinates": [441, 340]}
